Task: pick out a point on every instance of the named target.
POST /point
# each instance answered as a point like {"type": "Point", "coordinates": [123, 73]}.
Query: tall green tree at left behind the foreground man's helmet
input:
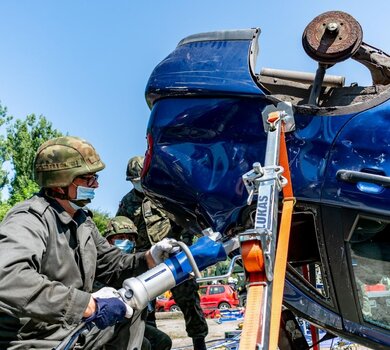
{"type": "Point", "coordinates": [18, 147]}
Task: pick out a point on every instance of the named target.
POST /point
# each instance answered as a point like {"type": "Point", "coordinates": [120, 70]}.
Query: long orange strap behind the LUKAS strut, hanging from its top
{"type": "Point", "coordinates": [281, 250]}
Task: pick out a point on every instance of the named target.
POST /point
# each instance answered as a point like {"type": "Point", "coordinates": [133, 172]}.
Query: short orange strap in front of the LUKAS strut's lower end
{"type": "Point", "coordinates": [252, 257]}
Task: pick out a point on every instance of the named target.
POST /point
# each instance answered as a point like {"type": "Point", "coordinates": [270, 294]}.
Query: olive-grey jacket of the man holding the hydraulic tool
{"type": "Point", "coordinates": [48, 264]}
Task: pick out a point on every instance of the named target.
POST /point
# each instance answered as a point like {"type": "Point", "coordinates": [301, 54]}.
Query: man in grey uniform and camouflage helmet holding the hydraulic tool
{"type": "Point", "coordinates": [51, 252]}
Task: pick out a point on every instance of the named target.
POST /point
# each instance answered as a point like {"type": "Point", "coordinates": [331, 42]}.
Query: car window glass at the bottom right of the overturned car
{"type": "Point", "coordinates": [370, 255]}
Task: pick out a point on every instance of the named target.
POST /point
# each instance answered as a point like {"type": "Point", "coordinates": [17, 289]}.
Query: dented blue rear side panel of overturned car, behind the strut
{"type": "Point", "coordinates": [213, 141]}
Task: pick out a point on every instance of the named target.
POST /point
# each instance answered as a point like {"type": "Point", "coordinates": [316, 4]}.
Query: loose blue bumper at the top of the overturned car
{"type": "Point", "coordinates": [207, 64]}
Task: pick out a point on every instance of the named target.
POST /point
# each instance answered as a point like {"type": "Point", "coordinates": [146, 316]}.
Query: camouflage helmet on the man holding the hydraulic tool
{"type": "Point", "coordinates": [60, 160]}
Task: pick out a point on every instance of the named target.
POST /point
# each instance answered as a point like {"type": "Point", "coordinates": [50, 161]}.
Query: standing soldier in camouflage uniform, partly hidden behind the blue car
{"type": "Point", "coordinates": [153, 225]}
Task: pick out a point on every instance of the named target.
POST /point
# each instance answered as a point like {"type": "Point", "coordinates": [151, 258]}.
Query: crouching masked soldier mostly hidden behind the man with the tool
{"type": "Point", "coordinates": [122, 233]}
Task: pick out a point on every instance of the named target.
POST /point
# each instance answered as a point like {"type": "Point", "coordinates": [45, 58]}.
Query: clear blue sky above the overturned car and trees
{"type": "Point", "coordinates": [84, 65]}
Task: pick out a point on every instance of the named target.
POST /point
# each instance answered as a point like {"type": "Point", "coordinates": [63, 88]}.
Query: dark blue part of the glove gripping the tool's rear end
{"type": "Point", "coordinates": [108, 312]}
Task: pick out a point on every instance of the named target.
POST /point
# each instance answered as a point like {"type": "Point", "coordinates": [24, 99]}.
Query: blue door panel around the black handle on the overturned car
{"type": "Point", "coordinates": [362, 145]}
